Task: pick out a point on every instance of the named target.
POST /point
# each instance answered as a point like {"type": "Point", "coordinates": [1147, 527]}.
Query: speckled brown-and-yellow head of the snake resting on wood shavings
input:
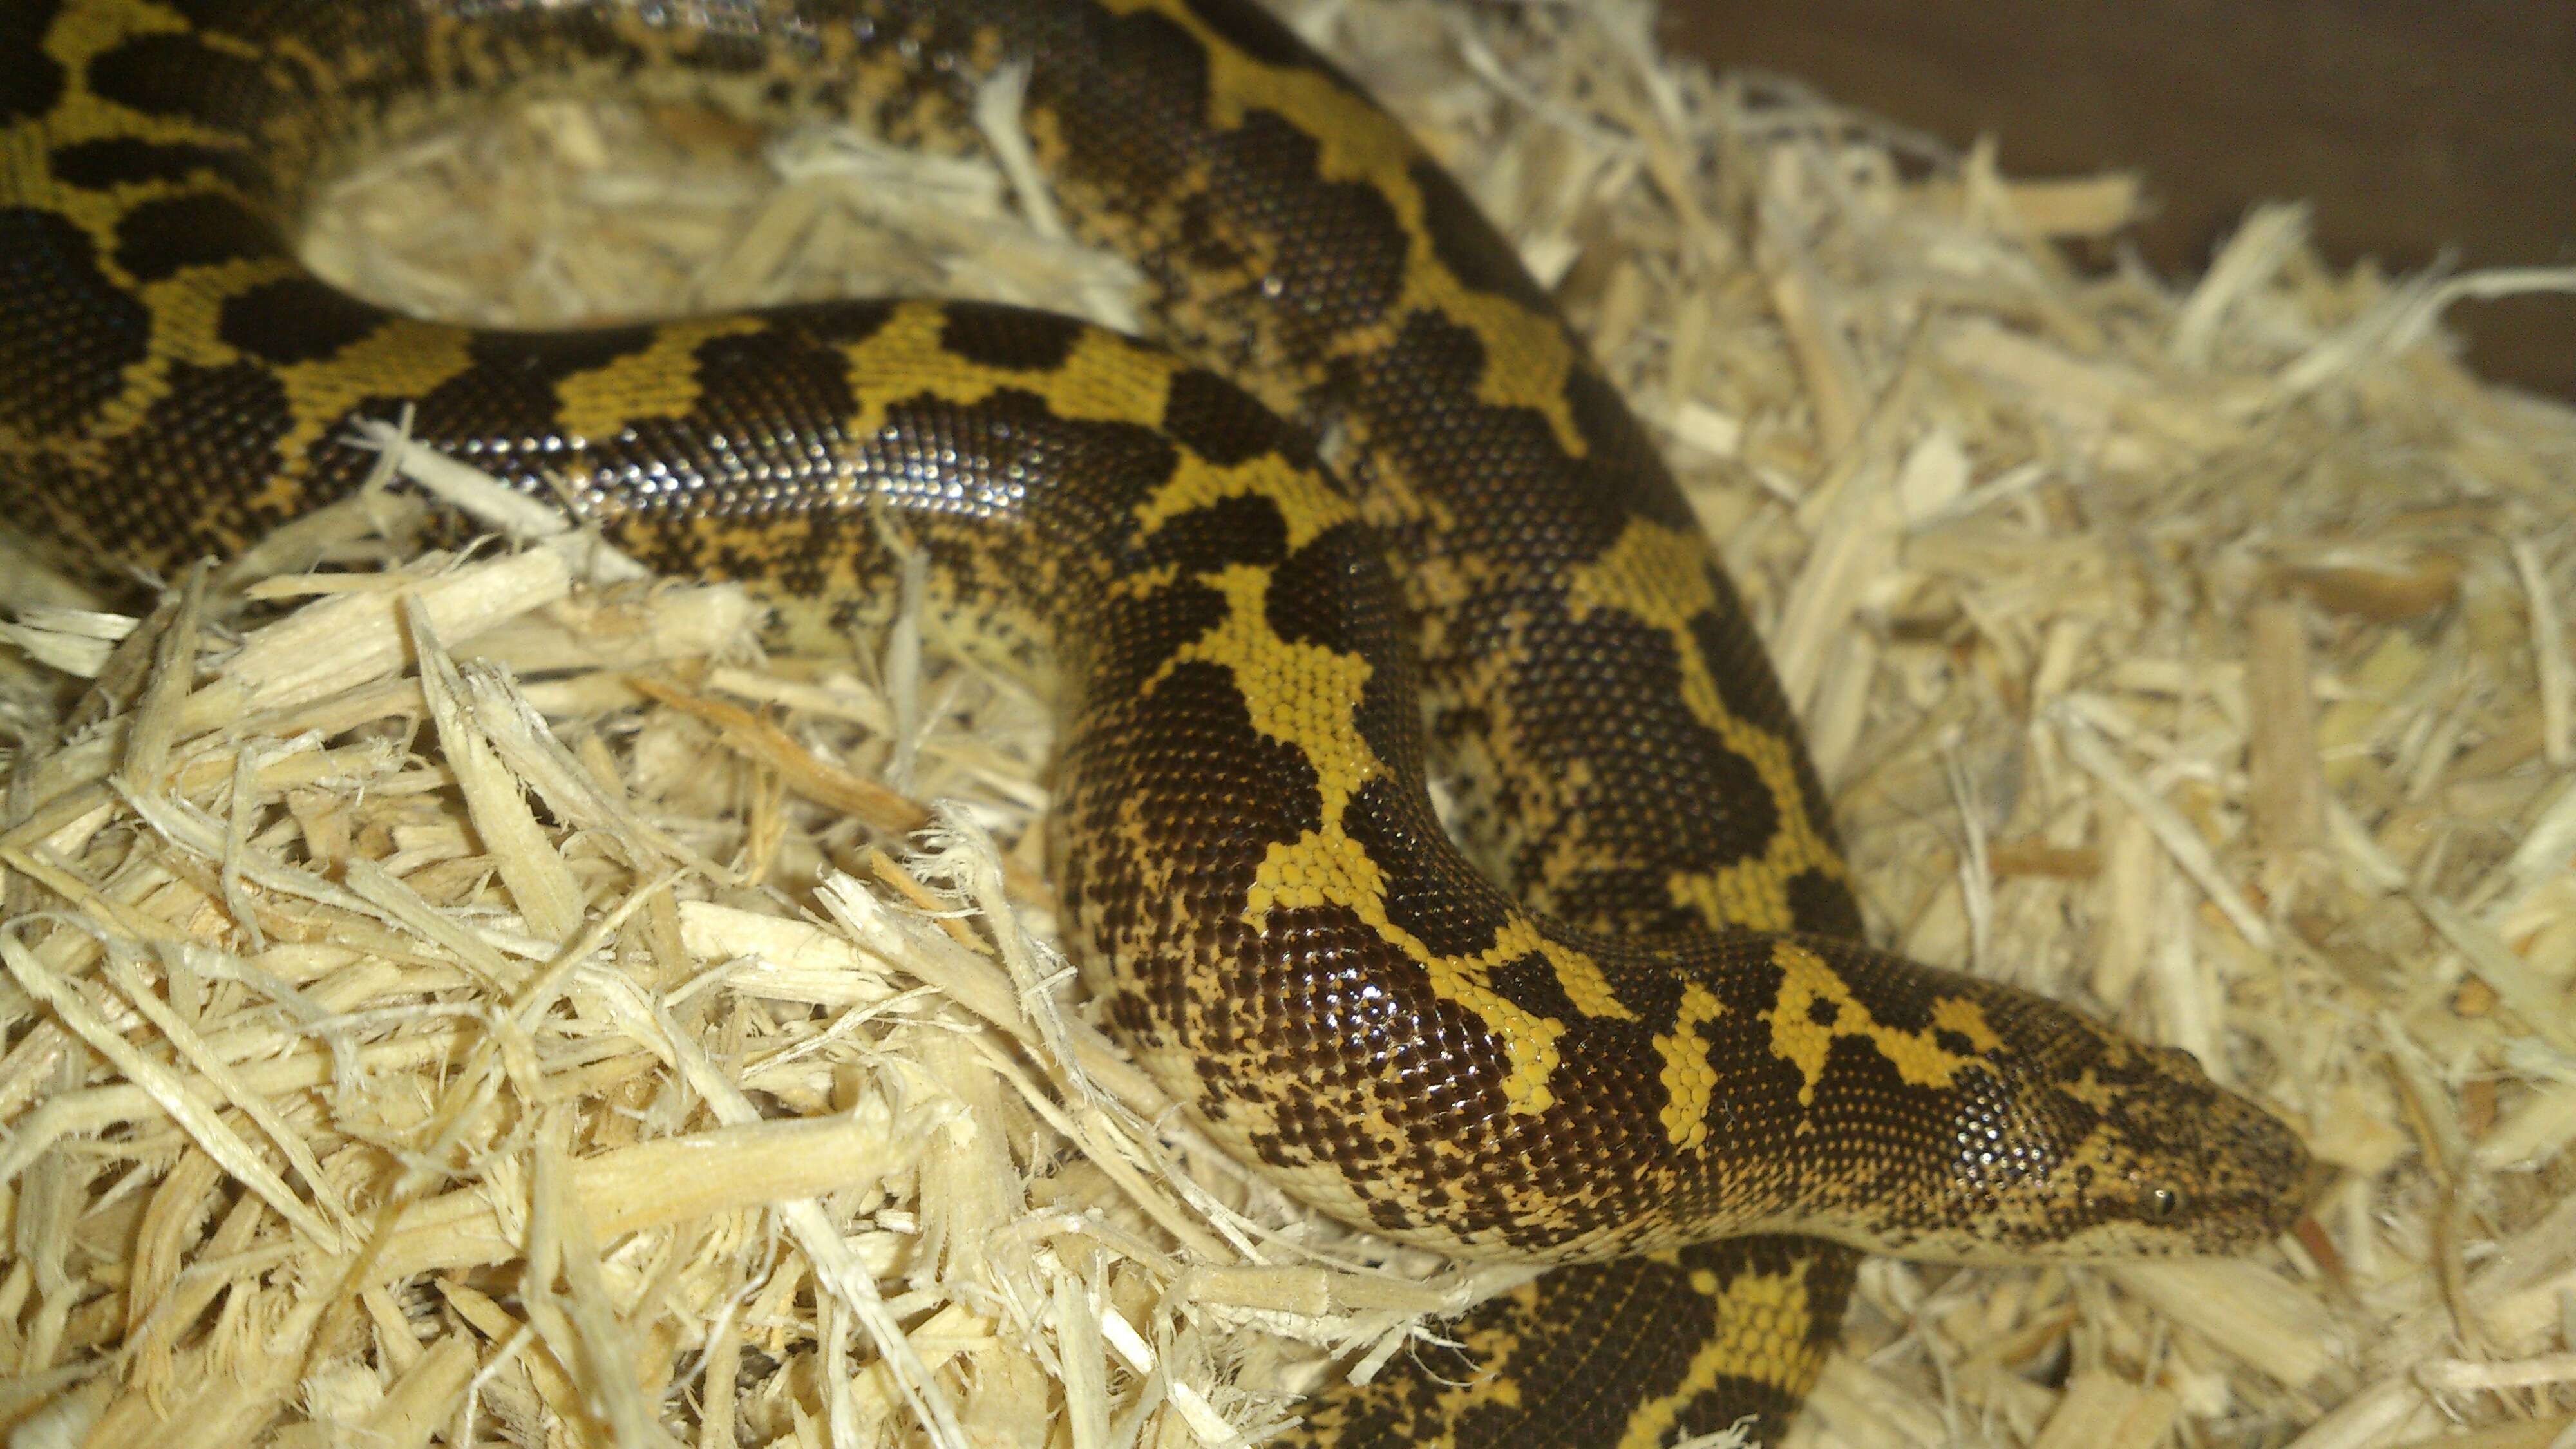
{"type": "Point", "coordinates": [2008, 1128]}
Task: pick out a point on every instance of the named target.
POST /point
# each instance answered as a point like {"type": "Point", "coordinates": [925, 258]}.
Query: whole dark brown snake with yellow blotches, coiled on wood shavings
{"type": "Point", "coordinates": [1611, 1012]}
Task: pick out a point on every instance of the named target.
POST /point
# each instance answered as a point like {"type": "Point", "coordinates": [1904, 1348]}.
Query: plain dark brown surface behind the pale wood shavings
{"type": "Point", "coordinates": [2410, 125]}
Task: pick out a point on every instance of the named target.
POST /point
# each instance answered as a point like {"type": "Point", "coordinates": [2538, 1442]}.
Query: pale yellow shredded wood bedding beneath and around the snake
{"type": "Point", "coordinates": [462, 1002]}
